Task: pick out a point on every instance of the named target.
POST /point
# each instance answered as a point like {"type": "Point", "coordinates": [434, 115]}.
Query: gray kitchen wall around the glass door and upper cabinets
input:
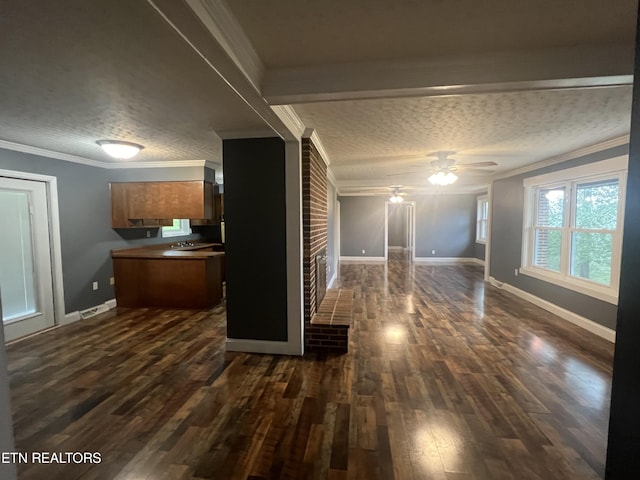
{"type": "Point", "coordinates": [85, 220]}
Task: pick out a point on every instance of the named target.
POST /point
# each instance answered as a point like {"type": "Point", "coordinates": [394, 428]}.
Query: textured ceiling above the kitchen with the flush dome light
{"type": "Point", "coordinates": [109, 69]}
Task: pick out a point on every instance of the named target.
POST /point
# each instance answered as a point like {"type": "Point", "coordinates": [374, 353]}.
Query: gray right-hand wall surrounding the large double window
{"type": "Point", "coordinates": [506, 244]}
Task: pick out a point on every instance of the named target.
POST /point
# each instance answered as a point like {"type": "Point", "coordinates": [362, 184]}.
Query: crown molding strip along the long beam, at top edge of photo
{"type": "Point", "coordinates": [218, 18]}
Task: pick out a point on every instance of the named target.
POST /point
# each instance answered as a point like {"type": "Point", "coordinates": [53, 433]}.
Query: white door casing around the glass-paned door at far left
{"type": "Point", "coordinates": [55, 243]}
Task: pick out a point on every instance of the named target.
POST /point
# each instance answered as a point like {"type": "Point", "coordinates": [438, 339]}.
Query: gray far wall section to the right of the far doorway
{"type": "Point", "coordinates": [446, 224]}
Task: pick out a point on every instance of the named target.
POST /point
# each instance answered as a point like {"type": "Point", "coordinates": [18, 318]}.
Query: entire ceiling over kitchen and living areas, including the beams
{"type": "Point", "coordinates": [383, 83]}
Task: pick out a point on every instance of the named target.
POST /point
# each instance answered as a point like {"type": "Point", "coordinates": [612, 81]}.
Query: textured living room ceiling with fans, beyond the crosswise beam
{"type": "Point", "coordinates": [378, 139]}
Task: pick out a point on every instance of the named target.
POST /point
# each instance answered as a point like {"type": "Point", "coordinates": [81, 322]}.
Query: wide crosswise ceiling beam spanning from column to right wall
{"type": "Point", "coordinates": [558, 68]}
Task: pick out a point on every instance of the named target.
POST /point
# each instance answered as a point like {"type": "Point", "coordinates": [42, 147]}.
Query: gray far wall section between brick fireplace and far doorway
{"type": "Point", "coordinates": [362, 226]}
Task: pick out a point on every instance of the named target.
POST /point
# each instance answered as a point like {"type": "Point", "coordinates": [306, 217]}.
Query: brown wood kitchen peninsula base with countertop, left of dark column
{"type": "Point", "coordinates": [169, 276]}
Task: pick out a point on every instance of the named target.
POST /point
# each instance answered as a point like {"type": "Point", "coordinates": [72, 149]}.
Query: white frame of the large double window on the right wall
{"type": "Point", "coordinates": [615, 168]}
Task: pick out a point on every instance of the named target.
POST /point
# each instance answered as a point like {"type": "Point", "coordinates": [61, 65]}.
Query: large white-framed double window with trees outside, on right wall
{"type": "Point", "coordinates": [573, 227]}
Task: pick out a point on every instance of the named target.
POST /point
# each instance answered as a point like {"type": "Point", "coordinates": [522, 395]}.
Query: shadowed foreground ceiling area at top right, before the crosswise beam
{"type": "Point", "coordinates": [290, 33]}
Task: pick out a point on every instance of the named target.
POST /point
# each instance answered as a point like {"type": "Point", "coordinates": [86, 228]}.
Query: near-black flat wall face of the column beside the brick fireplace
{"type": "Point", "coordinates": [255, 243]}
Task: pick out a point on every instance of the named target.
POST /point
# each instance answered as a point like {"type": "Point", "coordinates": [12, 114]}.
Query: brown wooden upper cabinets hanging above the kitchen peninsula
{"type": "Point", "coordinates": [146, 204]}
